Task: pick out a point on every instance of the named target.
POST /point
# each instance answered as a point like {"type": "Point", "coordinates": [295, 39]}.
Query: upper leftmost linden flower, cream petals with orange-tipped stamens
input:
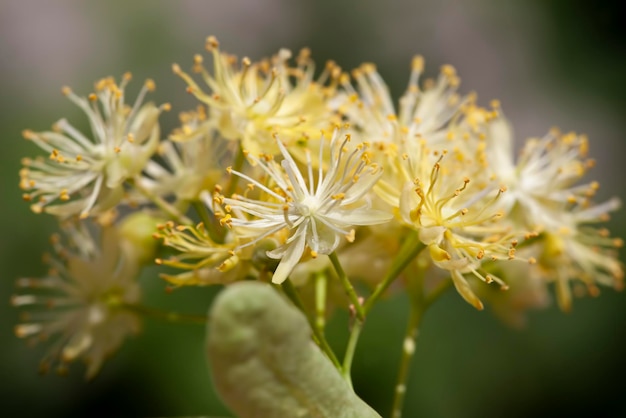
{"type": "Point", "coordinates": [84, 173]}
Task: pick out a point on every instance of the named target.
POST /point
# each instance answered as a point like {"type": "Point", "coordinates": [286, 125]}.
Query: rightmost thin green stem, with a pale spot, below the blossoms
{"type": "Point", "coordinates": [408, 351]}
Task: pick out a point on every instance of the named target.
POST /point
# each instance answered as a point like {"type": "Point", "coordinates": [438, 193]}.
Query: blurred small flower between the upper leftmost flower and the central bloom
{"type": "Point", "coordinates": [192, 159]}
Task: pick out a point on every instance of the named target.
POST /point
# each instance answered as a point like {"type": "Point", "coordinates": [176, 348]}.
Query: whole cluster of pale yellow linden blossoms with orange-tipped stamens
{"type": "Point", "coordinates": [282, 173]}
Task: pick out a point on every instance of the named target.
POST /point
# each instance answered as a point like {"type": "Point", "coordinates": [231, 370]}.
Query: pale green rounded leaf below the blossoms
{"type": "Point", "coordinates": [265, 364]}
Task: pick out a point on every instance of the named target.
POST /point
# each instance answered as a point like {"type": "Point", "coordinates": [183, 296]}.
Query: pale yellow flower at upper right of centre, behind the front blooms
{"type": "Point", "coordinates": [434, 114]}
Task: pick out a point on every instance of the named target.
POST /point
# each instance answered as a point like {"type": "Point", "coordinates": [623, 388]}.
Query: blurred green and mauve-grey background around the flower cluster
{"type": "Point", "coordinates": [549, 62]}
